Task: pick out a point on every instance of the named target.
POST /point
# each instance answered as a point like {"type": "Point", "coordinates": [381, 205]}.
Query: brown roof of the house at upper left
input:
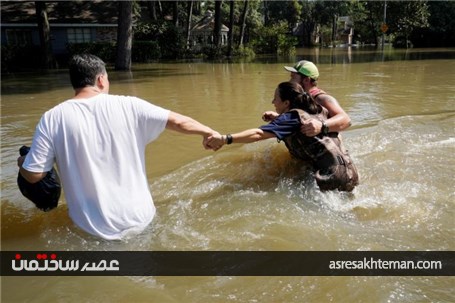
{"type": "Point", "coordinates": [58, 12]}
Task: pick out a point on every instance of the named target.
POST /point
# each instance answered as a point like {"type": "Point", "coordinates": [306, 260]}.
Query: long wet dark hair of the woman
{"type": "Point", "coordinates": [298, 98]}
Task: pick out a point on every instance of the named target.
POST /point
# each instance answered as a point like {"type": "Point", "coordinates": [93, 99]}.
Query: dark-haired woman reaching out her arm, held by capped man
{"type": "Point", "coordinates": [332, 166]}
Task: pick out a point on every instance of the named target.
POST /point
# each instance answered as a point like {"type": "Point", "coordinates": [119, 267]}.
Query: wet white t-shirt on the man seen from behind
{"type": "Point", "coordinates": [99, 145]}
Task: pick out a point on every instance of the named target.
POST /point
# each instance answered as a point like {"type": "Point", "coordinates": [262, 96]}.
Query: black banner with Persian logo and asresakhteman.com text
{"type": "Point", "coordinates": [228, 263]}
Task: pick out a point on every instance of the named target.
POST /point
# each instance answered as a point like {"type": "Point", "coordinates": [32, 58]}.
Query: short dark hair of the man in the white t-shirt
{"type": "Point", "coordinates": [84, 69]}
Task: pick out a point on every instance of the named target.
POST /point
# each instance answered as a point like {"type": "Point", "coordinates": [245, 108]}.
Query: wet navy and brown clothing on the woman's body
{"type": "Point", "coordinates": [332, 165]}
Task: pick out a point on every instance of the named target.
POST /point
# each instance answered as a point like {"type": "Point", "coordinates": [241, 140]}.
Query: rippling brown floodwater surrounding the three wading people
{"type": "Point", "coordinates": [252, 197]}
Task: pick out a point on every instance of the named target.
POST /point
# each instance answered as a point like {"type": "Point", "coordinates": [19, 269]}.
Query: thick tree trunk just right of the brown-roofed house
{"type": "Point", "coordinates": [124, 36]}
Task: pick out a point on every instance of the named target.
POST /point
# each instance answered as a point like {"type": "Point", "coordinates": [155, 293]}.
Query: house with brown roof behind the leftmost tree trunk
{"type": "Point", "coordinates": [69, 22]}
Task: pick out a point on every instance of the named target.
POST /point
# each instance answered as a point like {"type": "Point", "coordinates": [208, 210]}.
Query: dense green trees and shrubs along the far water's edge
{"type": "Point", "coordinates": [165, 29]}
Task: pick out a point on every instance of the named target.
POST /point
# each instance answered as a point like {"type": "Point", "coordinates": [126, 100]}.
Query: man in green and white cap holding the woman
{"type": "Point", "coordinates": [306, 74]}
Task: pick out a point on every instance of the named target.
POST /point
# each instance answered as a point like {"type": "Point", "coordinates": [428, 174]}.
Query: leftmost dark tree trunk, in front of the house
{"type": "Point", "coordinates": [47, 60]}
